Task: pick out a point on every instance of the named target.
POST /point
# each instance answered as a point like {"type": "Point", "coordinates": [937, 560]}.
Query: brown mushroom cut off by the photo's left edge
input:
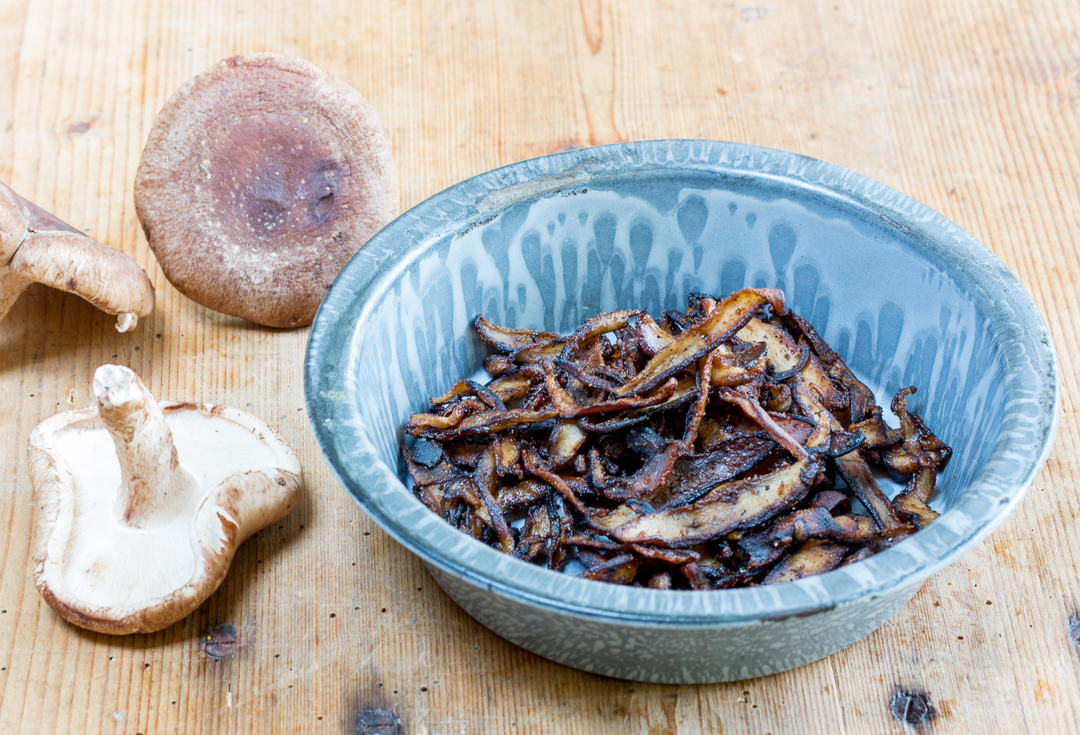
{"type": "Point", "coordinates": [37, 248]}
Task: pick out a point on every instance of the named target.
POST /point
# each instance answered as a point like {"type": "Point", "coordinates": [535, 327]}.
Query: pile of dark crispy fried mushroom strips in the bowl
{"type": "Point", "coordinates": [695, 453]}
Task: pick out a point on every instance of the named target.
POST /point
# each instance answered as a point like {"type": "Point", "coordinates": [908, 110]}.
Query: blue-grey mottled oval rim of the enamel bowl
{"type": "Point", "coordinates": [1033, 401]}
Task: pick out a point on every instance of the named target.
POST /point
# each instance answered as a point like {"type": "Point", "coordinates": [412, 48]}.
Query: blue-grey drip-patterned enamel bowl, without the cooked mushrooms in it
{"type": "Point", "coordinates": [904, 296]}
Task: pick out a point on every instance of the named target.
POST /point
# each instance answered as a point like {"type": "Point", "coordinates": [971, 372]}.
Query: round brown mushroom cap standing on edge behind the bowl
{"type": "Point", "coordinates": [261, 179]}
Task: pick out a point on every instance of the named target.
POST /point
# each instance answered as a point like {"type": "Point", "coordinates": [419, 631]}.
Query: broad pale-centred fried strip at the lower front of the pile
{"type": "Point", "coordinates": [730, 507]}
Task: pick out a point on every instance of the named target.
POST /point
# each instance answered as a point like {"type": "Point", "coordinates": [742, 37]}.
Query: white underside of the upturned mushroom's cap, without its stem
{"type": "Point", "coordinates": [102, 568]}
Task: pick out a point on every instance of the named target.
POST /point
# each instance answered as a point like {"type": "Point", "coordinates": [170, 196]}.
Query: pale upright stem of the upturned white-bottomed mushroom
{"type": "Point", "coordinates": [153, 482]}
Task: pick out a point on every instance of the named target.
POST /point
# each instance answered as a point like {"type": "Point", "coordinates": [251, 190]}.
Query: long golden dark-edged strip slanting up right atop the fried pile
{"type": "Point", "coordinates": [733, 314]}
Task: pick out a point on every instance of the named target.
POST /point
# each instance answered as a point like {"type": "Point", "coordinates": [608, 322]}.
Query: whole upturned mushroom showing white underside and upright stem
{"type": "Point", "coordinates": [140, 507]}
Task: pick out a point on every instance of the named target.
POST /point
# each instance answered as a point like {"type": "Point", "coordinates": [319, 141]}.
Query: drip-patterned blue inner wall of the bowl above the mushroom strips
{"type": "Point", "coordinates": [896, 316]}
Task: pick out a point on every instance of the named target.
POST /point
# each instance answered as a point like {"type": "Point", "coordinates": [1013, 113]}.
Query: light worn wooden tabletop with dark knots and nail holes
{"type": "Point", "coordinates": [971, 106]}
